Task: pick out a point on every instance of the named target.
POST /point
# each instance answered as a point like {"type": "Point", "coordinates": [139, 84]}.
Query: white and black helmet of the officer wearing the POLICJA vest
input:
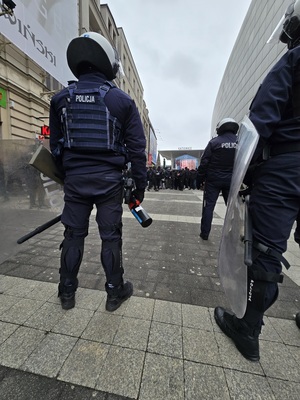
{"type": "Point", "coordinates": [94, 50]}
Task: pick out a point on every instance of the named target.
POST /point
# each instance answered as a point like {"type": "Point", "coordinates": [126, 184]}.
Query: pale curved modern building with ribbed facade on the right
{"type": "Point", "coordinates": [250, 60]}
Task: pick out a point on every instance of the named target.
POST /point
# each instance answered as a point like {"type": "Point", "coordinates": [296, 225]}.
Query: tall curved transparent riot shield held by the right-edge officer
{"type": "Point", "coordinates": [231, 261]}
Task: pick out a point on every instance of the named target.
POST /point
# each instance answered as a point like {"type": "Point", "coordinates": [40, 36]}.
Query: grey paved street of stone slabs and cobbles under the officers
{"type": "Point", "coordinates": [163, 343]}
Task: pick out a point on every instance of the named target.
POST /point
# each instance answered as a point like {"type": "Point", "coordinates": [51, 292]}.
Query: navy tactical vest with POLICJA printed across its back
{"type": "Point", "coordinates": [88, 124]}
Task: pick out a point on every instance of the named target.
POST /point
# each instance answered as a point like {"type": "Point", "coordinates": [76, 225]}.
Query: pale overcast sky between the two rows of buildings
{"type": "Point", "coordinates": [180, 49]}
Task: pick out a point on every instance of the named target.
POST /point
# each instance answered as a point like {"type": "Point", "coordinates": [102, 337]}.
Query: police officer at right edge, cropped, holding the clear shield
{"type": "Point", "coordinates": [275, 194]}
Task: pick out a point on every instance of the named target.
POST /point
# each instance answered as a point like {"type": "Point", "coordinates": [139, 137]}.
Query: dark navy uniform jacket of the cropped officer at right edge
{"type": "Point", "coordinates": [275, 110]}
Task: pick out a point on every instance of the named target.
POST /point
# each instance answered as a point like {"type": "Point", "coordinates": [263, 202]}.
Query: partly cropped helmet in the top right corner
{"type": "Point", "coordinates": [290, 32]}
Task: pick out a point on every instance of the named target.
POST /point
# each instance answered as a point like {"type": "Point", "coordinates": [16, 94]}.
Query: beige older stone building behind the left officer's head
{"type": "Point", "coordinates": [26, 88]}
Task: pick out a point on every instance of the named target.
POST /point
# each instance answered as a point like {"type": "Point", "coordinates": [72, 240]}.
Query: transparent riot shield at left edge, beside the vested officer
{"type": "Point", "coordinates": [28, 198]}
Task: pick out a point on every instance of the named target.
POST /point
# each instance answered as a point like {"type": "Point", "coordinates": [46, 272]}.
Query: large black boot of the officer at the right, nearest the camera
{"type": "Point", "coordinates": [244, 338]}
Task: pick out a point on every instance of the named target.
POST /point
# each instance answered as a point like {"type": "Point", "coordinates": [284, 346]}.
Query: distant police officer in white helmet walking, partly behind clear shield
{"type": "Point", "coordinates": [215, 170]}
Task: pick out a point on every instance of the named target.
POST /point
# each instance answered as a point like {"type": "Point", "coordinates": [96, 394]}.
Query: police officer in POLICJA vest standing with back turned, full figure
{"type": "Point", "coordinates": [95, 130]}
